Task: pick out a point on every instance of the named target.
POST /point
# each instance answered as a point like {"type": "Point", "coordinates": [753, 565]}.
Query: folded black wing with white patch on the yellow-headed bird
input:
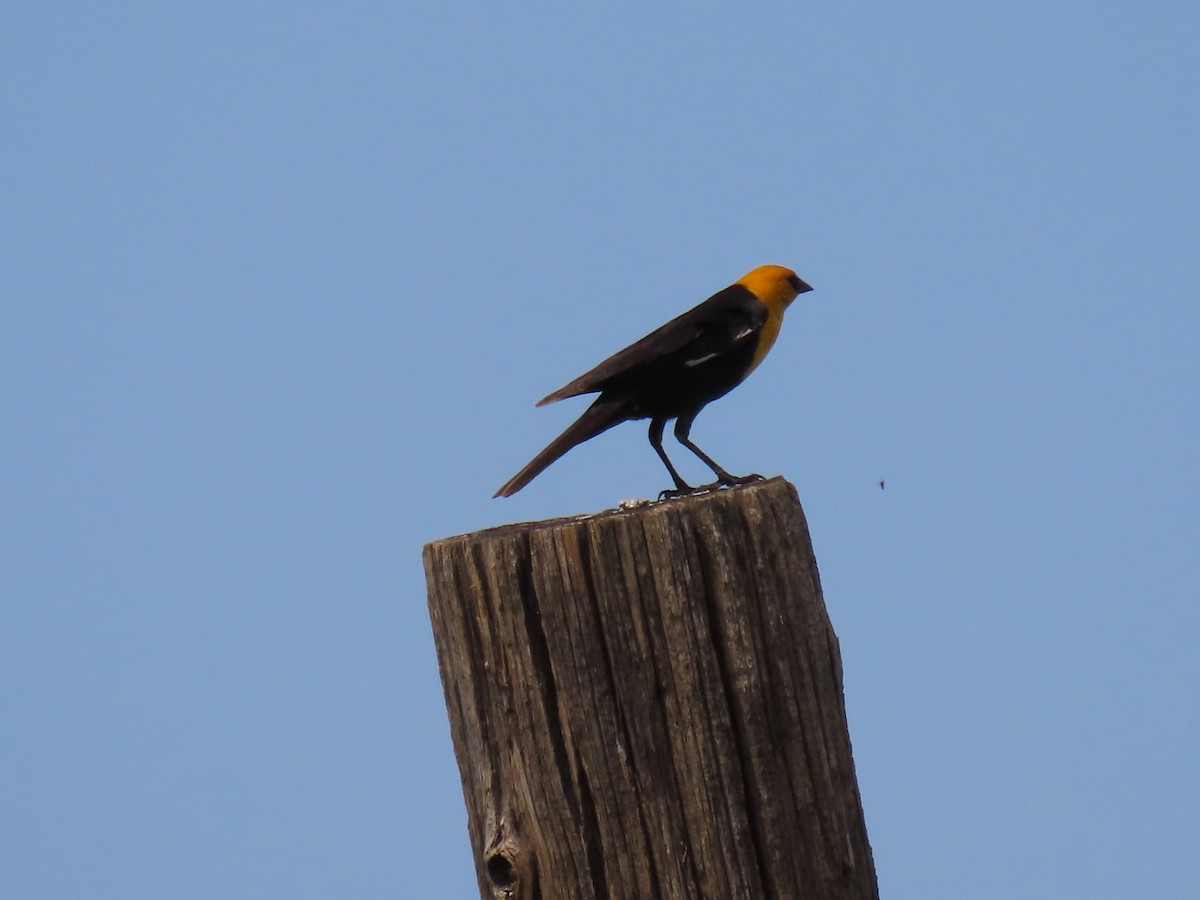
{"type": "Point", "coordinates": [723, 325]}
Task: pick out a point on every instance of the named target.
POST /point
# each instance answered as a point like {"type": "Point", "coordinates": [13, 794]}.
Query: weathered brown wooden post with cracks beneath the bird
{"type": "Point", "coordinates": [647, 704]}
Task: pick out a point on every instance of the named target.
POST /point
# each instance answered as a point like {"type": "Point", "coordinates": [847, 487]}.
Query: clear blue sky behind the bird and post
{"type": "Point", "coordinates": [283, 283]}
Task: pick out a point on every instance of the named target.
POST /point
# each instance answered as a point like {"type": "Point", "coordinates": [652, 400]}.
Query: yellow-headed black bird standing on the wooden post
{"type": "Point", "coordinates": [676, 371]}
